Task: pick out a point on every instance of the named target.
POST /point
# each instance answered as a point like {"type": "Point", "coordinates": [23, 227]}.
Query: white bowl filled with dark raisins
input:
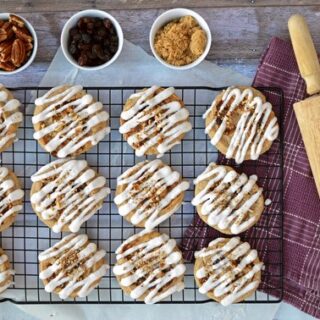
{"type": "Point", "coordinates": [91, 39]}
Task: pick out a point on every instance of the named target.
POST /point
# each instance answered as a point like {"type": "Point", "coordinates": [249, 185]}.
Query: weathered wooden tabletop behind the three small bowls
{"type": "Point", "coordinates": [241, 29]}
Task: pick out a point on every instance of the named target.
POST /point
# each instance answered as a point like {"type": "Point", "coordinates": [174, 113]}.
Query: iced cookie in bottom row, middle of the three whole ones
{"type": "Point", "coordinates": [149, 267]}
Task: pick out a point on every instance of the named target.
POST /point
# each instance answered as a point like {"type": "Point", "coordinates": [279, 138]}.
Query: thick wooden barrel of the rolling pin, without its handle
{"type": "Point", "coordinates": [308, 116]}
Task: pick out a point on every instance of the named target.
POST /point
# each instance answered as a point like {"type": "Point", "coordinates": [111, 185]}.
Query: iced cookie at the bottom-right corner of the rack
{"type": "Point", "coordinates": [228, 270]}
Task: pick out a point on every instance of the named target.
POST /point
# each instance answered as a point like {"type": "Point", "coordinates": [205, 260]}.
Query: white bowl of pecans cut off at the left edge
{"type": "Point", "coordinates": [18, 43]}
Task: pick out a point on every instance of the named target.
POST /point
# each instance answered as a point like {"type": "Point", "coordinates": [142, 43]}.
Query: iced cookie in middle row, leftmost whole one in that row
{"type": "Point", "coordinates": [66, 193]}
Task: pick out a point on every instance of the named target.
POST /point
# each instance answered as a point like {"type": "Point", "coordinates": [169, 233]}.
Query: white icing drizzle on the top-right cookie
{"type": "Point", "coordinates": [249, 135]}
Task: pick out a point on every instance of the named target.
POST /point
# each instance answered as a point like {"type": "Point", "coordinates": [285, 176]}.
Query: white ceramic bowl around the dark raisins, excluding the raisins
{"type": "Point", "coordinates": [73, 21]}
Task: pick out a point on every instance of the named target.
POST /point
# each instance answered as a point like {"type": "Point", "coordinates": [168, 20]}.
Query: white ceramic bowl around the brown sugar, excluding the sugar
{"type": "Point", "coordinates": [170, 15]}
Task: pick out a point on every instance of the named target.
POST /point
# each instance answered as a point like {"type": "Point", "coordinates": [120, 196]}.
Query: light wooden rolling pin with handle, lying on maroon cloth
{"type": "Point", "coordinates": [308, 110]}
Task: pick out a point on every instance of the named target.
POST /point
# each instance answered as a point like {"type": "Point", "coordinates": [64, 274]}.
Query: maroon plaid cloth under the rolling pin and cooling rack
{"type": "Point", "coordinates": [278, 68]}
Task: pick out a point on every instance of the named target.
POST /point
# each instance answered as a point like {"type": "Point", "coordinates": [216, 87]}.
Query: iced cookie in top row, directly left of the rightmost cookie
{"type": "Point", "coordinates": [154, 120]}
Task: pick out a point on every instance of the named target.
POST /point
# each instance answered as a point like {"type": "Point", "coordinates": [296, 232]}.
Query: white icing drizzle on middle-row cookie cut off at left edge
{"type": "Point", "coordinates": [8, 194]}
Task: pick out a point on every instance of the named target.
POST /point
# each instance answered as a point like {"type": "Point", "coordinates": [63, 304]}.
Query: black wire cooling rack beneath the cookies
{"type": "Point", "coordinates": [112, 156]}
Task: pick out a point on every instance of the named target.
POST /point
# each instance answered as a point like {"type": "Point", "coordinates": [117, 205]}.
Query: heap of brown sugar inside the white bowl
{"type": "Point", "coordinates": [180, 41]}
